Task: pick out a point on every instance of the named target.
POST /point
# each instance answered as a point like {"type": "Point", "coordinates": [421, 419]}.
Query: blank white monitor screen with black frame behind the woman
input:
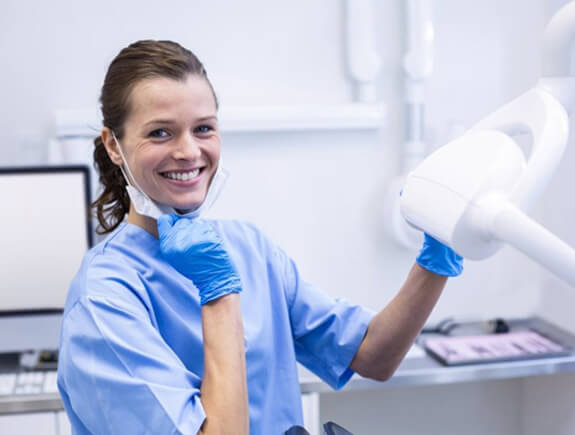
{"type": "Point", "coordinates": [44, 233]}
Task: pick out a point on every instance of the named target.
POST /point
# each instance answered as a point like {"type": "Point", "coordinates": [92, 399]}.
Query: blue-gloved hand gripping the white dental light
{"type": "Point", "coordinates": [438, 258]}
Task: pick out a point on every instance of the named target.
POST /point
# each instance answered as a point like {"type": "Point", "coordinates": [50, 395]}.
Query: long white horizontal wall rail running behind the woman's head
{"type": "Point", "coordinates": [253, 119]}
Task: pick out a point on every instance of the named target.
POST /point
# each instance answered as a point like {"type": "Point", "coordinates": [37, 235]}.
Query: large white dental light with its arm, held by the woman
{"type": "Point", "coordinates": [473, 193]}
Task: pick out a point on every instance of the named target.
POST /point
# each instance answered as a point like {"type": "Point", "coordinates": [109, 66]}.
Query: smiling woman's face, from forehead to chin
{"type": "Point", "coordinates": [171, 140]}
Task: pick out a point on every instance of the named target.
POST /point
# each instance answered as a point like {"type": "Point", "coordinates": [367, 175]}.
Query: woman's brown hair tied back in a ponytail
{"type": "Point", "coordinates": [139, 61]}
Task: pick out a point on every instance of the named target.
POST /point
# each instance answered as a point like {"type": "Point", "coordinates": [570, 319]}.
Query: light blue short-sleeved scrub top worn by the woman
{"type": "Point", "coordinates": [131, 355]}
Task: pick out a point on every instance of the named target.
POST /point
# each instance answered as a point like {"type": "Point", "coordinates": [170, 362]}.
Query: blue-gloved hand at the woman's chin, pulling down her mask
{"type": "Point", "coordinates": [194, 249]}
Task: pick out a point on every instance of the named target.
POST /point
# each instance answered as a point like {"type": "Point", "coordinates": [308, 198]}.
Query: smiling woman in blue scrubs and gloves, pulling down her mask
{"type": "Point", "coordinates": [177, 324]}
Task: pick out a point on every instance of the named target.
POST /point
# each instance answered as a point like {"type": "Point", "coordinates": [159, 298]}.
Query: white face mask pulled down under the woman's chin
{"type": "Point", "coordinates": [145, 206]}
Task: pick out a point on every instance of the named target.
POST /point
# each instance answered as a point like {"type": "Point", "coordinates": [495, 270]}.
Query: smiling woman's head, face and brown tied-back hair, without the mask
{"type": "Point", "coordinates": [158, 102]}
